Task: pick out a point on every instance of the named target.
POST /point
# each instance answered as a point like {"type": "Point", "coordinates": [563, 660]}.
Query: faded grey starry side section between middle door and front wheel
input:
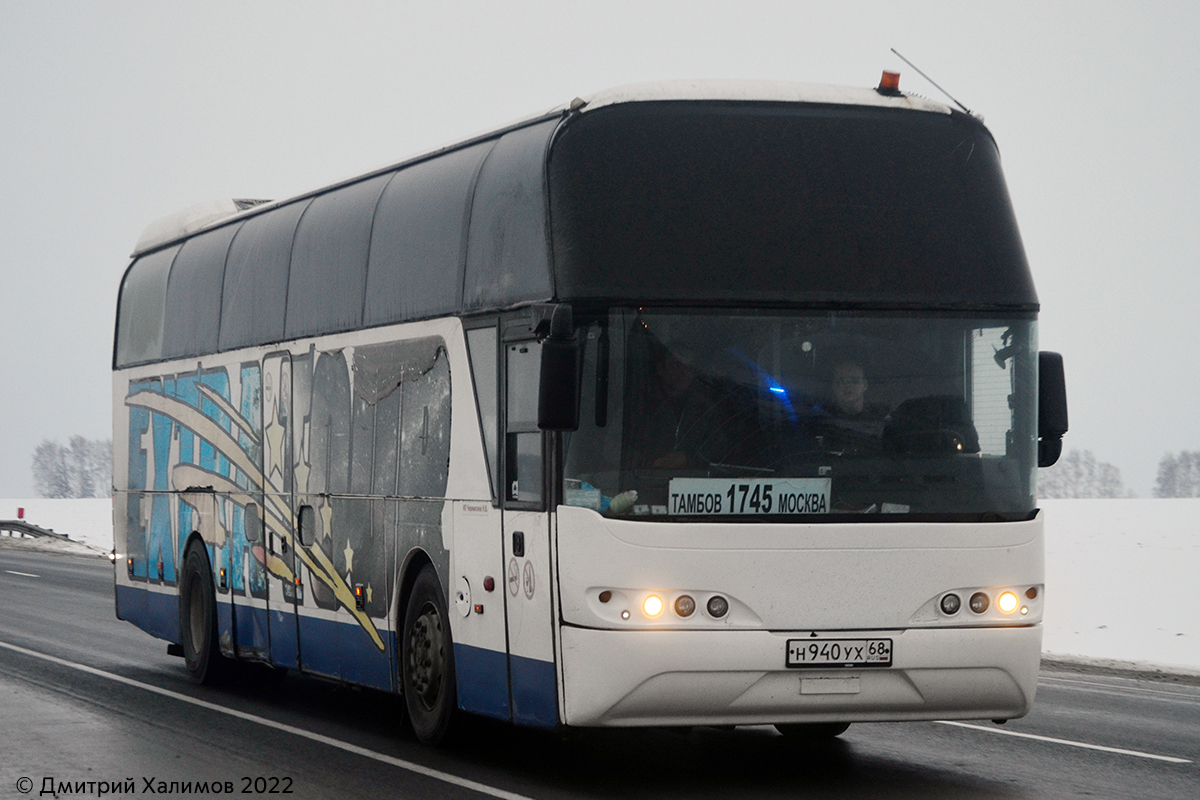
{"type": "Point", "coordinates": [373, 425]}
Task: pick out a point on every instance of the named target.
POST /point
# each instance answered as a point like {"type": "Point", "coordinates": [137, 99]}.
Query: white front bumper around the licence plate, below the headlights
{"type": "Point", "coordinates": [687, 678]}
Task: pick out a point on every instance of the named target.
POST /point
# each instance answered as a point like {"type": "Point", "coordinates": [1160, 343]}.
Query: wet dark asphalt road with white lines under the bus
{"type": "Point", "coordinates": [87, 699]}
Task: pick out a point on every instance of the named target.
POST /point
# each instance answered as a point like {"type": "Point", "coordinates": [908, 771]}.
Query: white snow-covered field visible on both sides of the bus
{"type": "Point", "coordinates": [1121, 575]}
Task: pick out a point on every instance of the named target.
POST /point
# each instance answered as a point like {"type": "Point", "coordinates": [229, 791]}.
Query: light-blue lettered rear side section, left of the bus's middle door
{"type": "Point", "coordinates": [190, 468]}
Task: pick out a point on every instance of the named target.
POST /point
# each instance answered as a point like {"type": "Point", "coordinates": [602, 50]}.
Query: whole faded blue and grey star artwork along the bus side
{"type": "Point", "coordinates": [362, 436]}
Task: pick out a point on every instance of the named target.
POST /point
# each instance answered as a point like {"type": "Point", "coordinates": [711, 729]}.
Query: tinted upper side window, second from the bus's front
{"type": "Point", "coordinates": [418, 243]}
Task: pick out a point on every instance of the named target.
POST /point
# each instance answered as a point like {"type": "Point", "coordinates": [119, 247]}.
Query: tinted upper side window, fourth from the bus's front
{"type": "Point", "coordinates": [256, 282]}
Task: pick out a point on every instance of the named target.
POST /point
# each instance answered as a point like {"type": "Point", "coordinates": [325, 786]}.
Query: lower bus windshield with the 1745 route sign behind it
{"type": "Point", "coordinates": [728, 413]}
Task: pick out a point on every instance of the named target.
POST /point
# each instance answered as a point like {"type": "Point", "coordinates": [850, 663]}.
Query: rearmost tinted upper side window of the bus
{"type": "Point", "coordinates": [141, 312]}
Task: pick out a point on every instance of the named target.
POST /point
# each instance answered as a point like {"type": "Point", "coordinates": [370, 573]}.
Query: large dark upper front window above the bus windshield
{"type": "Point", "coordinates": [784, 204]}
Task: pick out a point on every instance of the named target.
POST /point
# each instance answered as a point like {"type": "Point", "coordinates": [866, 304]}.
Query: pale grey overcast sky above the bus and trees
{"type": "Point", "coordinates": [115, 115]}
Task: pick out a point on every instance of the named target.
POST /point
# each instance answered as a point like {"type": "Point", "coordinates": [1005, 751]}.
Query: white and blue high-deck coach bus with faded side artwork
{"type": "Point", "coordinates": [697, 404]}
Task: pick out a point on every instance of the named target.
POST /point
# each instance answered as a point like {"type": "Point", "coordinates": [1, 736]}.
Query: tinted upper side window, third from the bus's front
{"type": "Point", "coordinates": [329, 261]}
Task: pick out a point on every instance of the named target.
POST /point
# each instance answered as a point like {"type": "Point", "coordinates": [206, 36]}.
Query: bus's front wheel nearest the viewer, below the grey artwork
{"type": "Point", "coordinates": [427, 660]}
